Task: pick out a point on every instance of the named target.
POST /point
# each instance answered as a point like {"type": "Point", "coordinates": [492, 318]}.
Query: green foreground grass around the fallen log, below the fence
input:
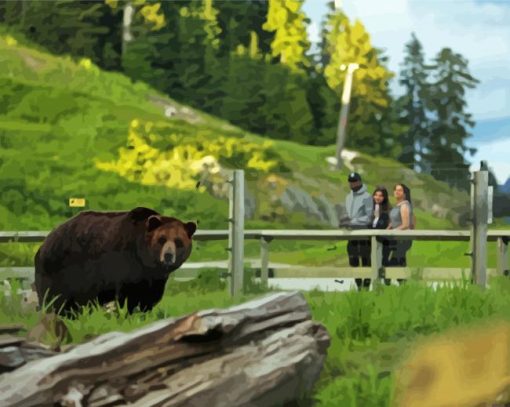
{"type": "Point", "coordinates": [371, 332]}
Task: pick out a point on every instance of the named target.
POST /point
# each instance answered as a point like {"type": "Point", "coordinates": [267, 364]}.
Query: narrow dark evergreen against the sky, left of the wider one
{"type": "Point", "coordinates": [413, 77]}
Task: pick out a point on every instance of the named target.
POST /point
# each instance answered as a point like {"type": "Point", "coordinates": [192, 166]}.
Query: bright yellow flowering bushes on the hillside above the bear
{"type": "Point", "coordinates": [179, 163]}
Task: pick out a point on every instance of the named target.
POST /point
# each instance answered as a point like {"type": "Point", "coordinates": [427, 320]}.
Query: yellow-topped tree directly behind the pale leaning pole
{"type": "Point", "coordinates": [344, 43]}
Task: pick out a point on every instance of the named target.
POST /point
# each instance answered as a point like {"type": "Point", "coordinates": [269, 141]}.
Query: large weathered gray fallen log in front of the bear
{"type": "Point", "coordinates": [262, 353]}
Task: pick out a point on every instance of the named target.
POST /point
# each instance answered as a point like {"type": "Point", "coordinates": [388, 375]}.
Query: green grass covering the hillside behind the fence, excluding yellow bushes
{"type": "Point", "coordinates": [58, 117]}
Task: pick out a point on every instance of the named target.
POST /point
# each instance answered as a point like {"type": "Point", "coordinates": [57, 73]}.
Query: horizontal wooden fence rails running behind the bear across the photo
{"type": "Point", "coordinates": [376, 270]}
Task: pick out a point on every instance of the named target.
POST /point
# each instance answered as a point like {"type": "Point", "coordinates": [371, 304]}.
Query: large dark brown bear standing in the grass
{"type": "Point", "coordinates": [108, 256]}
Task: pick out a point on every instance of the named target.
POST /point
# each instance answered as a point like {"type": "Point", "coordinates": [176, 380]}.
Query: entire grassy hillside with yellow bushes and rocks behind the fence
{"type": "Point", "coordinates": [67, 129]}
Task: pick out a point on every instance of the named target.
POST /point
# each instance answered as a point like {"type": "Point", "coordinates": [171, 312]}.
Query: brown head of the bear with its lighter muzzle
{"type": "Point", "coordinates": [168, 241]}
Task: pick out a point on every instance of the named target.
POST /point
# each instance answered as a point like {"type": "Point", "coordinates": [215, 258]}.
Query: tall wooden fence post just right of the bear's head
{"type": "Point", "coordinates": [236, 233]}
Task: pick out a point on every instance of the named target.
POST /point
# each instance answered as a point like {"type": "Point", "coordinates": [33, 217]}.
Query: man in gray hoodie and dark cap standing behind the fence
{"type": "Point", "coordinates": [359, 206]}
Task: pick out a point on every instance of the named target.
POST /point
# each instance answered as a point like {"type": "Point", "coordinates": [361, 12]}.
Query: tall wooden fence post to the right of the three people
{"type": "Point", "coordinates": [480, 214]}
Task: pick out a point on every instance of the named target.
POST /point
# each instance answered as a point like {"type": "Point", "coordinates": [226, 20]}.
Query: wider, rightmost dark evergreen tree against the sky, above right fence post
{"type": "Point", "coordinates": [446, 147]}
